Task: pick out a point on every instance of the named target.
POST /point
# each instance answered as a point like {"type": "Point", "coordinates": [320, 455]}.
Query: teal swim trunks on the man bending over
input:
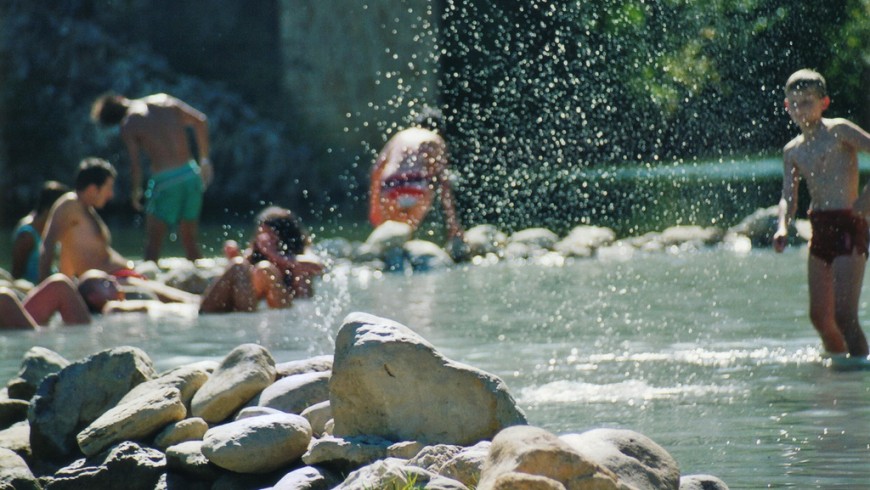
{"type": "Point", "coordinates": [175, 195]}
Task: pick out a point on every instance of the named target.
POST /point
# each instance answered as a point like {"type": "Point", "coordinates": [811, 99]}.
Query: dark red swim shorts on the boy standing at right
{"type": "Point", "coordinates": [837, 232]}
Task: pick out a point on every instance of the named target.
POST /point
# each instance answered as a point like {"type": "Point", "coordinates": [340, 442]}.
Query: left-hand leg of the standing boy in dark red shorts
{"type": "Point", "coordinates": [820, 277]}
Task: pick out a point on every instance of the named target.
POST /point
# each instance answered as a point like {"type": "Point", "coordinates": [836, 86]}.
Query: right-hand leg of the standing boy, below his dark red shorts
{"type": "Point", "coordinates": [848, 276]}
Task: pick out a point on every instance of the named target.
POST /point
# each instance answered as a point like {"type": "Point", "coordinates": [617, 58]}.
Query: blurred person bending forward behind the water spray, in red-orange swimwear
{"type": "Point", "coordinates": [410, 169]}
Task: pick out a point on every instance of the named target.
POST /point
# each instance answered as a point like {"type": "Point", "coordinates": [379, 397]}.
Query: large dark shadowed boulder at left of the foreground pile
{"type": "Point", "coordinates": [70, 400]}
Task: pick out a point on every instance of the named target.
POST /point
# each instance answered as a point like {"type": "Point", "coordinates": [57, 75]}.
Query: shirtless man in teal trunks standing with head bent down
{"type": "Point", "coordinates": [157, 126]}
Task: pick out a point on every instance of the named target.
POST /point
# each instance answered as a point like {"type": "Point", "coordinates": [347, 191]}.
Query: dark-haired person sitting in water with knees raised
{"type": "Point", "coordinates": [275, 267]}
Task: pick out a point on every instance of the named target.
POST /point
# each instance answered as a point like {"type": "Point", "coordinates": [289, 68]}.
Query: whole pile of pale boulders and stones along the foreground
{"type": "Point", "coordinates": [386, 410]}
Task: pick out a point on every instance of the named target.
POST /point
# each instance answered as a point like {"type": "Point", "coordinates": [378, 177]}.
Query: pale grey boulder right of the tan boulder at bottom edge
{"type": "Point", "coordinates": [637, 459]}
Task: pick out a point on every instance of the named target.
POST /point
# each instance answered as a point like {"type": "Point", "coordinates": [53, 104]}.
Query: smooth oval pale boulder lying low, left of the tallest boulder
{"type": "Point", "coordinates": [257, 444]}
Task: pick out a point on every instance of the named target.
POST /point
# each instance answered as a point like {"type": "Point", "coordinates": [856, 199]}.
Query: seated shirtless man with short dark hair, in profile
{"type": "Point", "coordinates": [75, 224]}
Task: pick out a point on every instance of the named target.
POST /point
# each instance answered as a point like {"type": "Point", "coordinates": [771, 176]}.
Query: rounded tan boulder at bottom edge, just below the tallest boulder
{"type": "Point", "coordinates": [530, 457]}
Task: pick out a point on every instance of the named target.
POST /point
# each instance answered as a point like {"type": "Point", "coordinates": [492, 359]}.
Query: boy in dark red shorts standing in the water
{"type": "Point", "coordinates": [825, 154]}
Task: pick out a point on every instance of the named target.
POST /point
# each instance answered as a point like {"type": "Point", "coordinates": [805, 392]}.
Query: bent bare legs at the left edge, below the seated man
{"type": "Point", "coordinates": [56, 294]}
